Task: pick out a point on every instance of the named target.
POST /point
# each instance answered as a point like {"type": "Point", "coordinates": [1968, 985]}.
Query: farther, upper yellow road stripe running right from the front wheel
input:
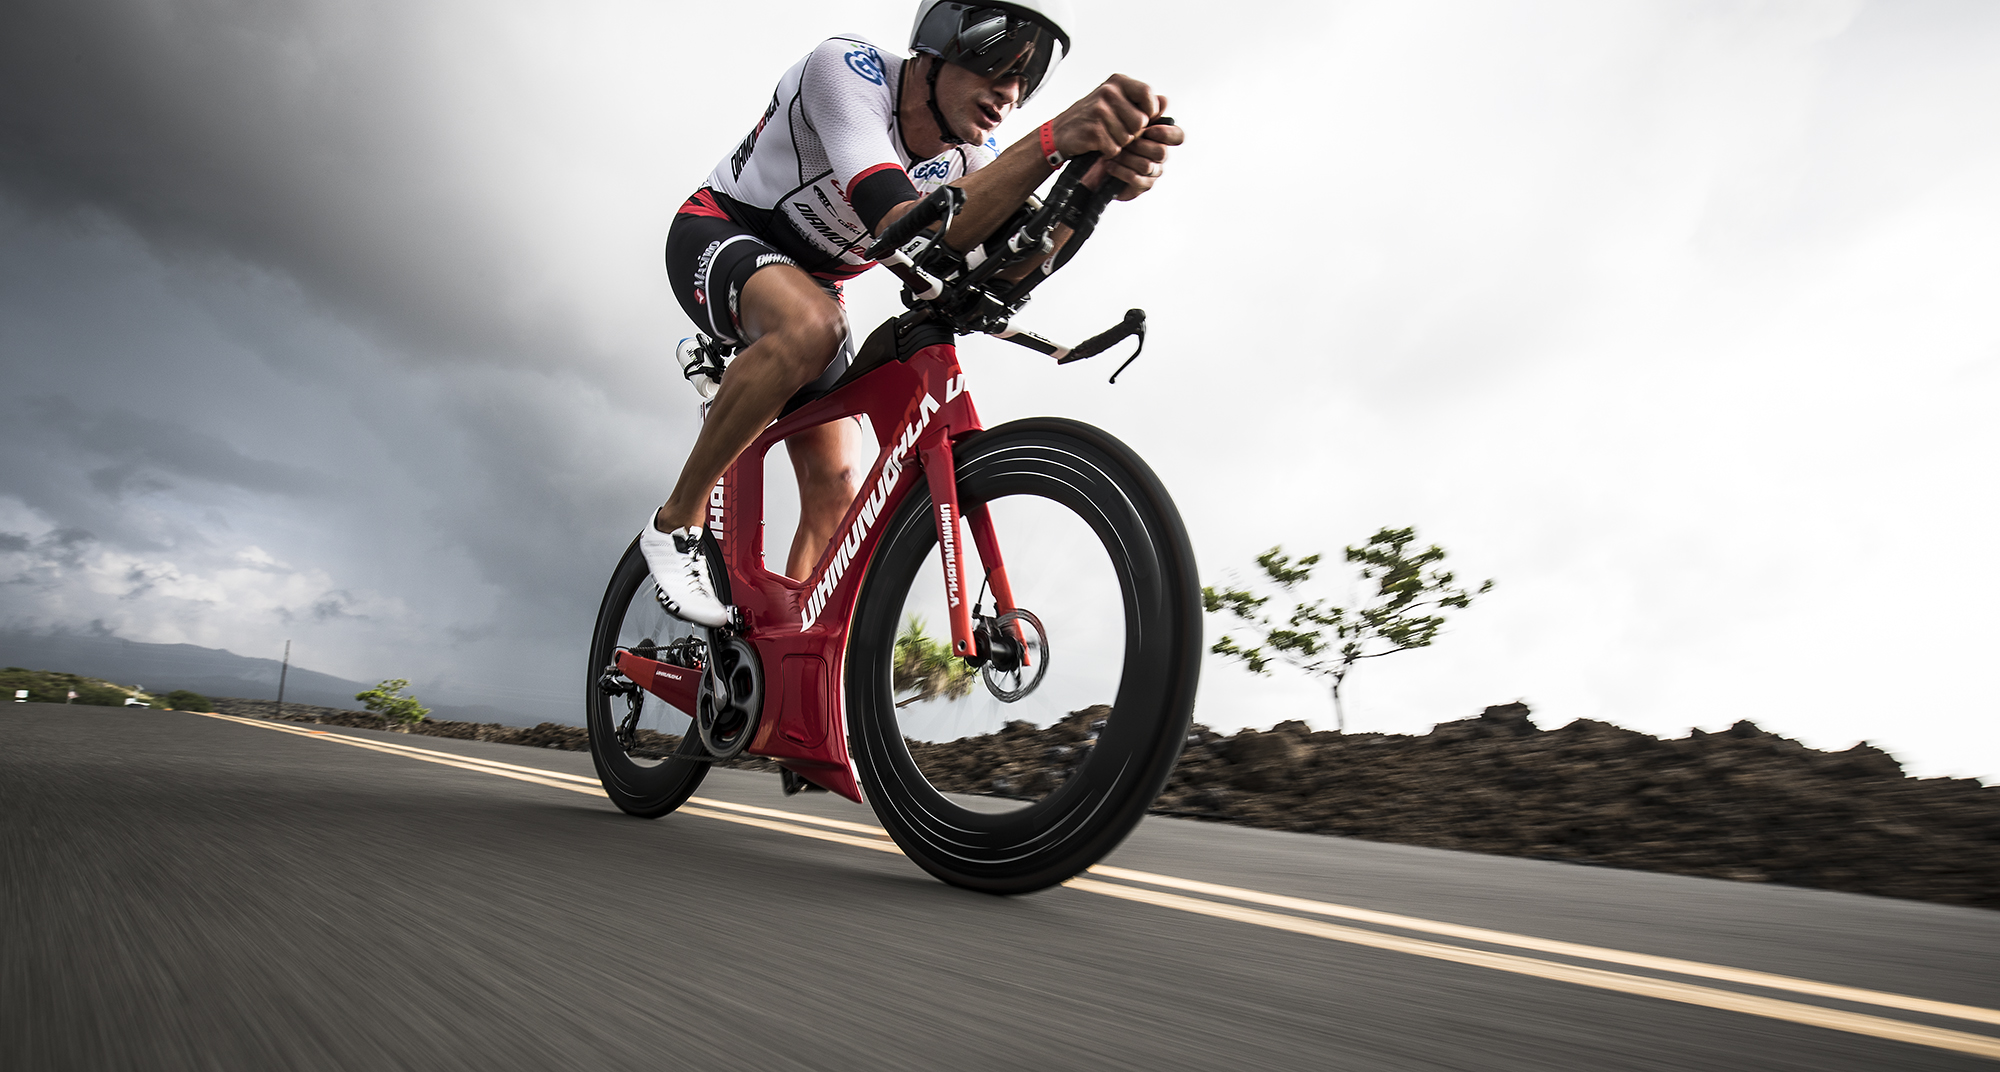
{"type": "Point", "coordinates": [1565, 949]}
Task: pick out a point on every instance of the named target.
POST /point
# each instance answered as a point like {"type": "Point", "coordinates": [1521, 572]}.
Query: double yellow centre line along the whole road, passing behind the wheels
{"type": "Point", "coordinates": [1309, 917]}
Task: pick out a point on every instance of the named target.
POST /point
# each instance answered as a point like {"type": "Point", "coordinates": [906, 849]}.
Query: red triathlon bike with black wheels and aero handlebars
{"type": "Point", "coordinates": [1047, 547]}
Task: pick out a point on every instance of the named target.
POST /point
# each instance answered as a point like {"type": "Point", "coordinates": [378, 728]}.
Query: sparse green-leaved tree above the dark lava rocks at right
{"type": "Point", "coordinates": [1403, 613]}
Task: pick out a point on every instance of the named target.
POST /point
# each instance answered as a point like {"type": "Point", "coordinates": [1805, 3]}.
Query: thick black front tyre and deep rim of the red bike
{"type": "Point", "coordinates": [1099, 479]}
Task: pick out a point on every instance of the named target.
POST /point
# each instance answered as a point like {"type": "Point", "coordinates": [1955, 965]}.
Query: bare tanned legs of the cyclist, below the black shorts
{"type": "Point", "coordinates": [793, 329]}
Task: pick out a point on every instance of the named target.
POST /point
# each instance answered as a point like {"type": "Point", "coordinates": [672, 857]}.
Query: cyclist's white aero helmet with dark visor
{"type": "Point", "coordinates": [1025, 37]}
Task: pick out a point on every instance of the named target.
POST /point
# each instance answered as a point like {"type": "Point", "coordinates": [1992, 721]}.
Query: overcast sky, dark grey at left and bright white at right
{"type": "Point", "coordinates": [345, 323]}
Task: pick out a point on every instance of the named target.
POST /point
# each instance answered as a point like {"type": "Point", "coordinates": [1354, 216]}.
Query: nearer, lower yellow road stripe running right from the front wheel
{"type": "Point", "coordinates": [1775, 1009]}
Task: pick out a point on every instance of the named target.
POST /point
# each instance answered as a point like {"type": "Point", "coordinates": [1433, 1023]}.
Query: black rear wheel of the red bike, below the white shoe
{"type": "Point", "coordinates": [647, 755]}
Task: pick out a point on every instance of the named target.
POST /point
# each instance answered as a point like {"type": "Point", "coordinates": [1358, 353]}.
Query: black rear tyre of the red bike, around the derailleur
{"type": "Point", "coordinates": [641, 783]}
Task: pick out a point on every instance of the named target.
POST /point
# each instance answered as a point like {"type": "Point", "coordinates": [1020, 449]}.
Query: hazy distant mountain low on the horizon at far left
{"type": "Point", "coordinates": [207, 671]}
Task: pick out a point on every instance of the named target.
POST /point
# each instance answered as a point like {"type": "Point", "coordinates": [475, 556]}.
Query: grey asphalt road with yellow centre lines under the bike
{"type": "Point", "coordinates": [197, 893]}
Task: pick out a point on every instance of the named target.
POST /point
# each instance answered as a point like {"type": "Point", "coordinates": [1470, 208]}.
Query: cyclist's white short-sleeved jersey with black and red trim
{"type": "Point", "coordinates": [827, 161]}
